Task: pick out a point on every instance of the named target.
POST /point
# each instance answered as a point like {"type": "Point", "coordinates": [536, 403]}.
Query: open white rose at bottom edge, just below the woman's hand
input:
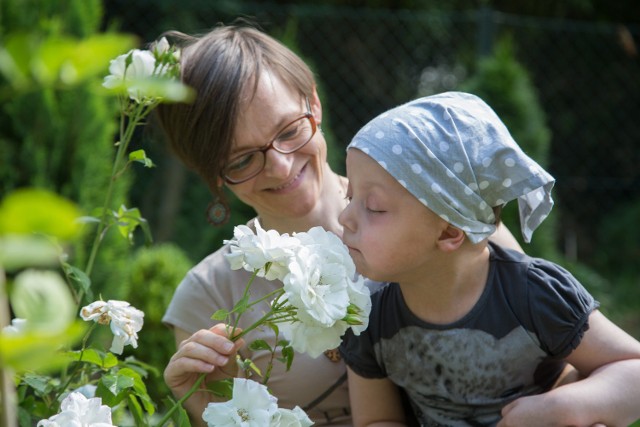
{"type": "Point", "coordinates": [251, 406]}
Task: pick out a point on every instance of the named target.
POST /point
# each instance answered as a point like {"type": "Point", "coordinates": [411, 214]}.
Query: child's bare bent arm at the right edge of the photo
{"type": "Point", "coordinates": [609, 358]}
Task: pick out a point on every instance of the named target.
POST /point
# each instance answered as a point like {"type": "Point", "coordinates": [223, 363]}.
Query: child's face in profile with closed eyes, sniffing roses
{"type": "Point", "coordinates": [391, 235]}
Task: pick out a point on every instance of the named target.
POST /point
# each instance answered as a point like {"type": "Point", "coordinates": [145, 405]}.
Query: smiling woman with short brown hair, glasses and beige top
{"type": "Point", "coordinates": [256, 128]}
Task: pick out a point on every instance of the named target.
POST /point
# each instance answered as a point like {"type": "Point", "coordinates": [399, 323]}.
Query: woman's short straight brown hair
{"type": "Point", "coordinates": [222, 66]}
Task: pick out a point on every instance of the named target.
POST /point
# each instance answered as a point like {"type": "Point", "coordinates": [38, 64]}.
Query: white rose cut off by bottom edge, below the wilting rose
{"type": "Point", "coordinates": [78, 411]}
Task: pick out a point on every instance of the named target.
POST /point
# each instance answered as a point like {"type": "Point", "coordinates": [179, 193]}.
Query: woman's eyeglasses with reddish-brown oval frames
{"type": "Point", "coordinates": [291, 138]}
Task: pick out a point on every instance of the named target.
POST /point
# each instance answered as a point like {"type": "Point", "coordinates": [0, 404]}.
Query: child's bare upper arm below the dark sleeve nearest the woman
{"type": "Point", "coordinates": [374, 402]}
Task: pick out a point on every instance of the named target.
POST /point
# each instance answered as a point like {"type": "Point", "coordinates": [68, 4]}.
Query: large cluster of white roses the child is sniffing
{"type": "Point", "coordinates": [320, 283]}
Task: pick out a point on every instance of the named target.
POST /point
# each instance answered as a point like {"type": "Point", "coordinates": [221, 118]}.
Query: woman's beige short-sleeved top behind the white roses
{"type": "Point", "coordinates": [212, 285]}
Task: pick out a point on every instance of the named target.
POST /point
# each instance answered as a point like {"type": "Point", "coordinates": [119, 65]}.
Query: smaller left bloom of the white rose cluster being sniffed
{"type": "Point", "coordinates": [265, 251]}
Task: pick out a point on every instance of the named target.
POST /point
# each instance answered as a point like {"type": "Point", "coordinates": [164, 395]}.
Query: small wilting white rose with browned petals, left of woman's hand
{"type": "Point", "coordinates": [124, 319]}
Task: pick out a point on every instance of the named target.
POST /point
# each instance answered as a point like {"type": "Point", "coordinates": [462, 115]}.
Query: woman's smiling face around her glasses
{"type": "Point", "coordinates": [290, 185]}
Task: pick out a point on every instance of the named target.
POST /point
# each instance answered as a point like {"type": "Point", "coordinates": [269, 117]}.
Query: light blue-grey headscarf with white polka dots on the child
{"type": "Point", "coordinates": [453, 153]}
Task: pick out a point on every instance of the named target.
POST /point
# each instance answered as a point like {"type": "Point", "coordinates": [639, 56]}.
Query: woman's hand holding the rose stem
{"type": "Point", "coordinates": [208, 351]}
